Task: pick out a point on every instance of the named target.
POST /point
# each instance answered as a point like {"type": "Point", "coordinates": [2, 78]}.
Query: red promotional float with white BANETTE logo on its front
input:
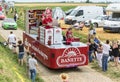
{"type": "Point", "coordinates": [48, 45]}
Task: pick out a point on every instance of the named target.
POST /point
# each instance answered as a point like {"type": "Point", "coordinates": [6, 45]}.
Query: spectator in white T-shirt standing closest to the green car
{"type": "Point", "coordinates": [12, 42]}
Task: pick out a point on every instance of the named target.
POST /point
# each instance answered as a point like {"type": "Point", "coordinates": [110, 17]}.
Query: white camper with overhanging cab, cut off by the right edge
{"type": "Point", "coordinates": [113, 24]}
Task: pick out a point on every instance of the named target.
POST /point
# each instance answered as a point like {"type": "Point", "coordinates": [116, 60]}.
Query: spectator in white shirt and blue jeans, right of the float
{"type": "Point", "coordinates": [106, 49]}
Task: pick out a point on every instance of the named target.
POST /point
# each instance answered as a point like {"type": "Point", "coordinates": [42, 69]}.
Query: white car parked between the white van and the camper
{"type": "Point", "coordinates": [98, 21]}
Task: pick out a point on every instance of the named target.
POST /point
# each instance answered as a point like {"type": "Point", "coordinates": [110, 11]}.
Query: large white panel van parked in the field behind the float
{"type": "Point", "coordinates": [83, 13]}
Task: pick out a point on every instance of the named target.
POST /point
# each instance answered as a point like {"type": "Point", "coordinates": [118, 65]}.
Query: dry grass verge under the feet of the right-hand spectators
{"type": "Point", "coordinates": [112, 72]}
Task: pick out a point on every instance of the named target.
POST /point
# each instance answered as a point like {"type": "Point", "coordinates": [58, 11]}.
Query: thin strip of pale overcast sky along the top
{"type": "Point", "coordinates": [62, 0]}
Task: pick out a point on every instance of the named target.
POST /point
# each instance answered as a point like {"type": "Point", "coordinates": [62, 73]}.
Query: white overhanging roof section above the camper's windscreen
{"type": "Point", "coordinates": [115, 7]}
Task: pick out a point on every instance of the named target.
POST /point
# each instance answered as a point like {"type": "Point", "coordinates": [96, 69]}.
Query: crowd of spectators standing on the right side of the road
{"type": "Point", "coordinates": [103, 52]}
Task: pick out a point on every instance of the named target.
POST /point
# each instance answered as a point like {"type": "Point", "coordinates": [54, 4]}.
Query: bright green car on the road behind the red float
{"type": "Point", "coordinates": [9, 23]}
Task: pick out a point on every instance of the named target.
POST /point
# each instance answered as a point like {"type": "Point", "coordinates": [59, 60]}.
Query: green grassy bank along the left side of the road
{"type": "Point", "coordinates": [10, 71]}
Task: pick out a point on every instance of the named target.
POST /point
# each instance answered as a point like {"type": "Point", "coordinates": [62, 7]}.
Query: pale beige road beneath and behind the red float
{"type": "Point", "coordinates": [80, 74]}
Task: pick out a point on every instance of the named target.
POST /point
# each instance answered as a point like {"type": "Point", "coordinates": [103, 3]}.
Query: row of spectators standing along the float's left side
{"type": "Point", "coordinates": [31, 62]}
